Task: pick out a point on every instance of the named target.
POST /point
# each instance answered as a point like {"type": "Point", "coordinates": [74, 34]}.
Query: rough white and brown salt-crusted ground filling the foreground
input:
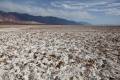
{"type": "Point", "coordinates": [40, 55]}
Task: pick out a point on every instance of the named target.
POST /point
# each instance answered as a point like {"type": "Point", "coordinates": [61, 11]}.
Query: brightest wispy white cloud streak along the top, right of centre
{"type": "Point", "coordinates": [76, 5]}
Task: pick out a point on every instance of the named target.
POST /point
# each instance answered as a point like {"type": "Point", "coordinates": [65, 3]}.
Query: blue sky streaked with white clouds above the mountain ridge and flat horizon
{"type": "Point", "coordinates": [92, 11]}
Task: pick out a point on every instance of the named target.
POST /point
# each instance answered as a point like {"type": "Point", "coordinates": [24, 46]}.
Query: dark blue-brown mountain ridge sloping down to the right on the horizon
{"type": "Point", "coordinates": [18, 18]}
